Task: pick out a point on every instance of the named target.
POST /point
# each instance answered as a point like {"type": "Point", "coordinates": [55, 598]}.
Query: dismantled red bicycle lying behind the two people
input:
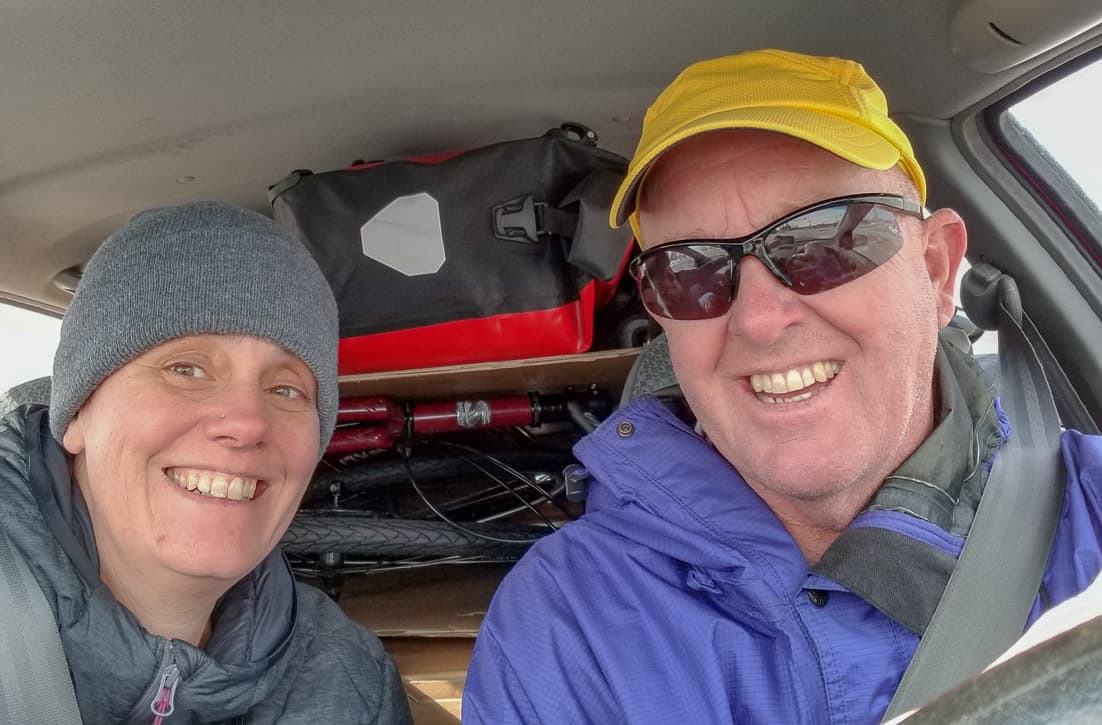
{"type": "Point", "coordinates": [418, 484]}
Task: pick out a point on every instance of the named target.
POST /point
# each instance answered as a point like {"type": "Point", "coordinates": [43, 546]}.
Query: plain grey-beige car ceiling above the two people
{"type": "Point", "coordinates": [115, 106]}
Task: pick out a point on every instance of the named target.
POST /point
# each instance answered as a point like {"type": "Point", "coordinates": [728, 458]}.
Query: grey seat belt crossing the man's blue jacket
{"type": "Point", "coordinates": [989, 597]}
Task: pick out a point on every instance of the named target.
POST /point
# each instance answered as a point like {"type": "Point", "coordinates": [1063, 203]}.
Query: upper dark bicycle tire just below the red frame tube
{"type": "Point", "coordinates": [384, 473]}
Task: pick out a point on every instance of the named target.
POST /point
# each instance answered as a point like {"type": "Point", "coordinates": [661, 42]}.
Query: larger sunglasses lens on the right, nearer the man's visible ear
{"type": "Point", "coordinates": [833, 246]}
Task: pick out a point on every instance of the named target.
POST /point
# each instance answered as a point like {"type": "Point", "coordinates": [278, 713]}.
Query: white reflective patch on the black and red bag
{"type": "Point", "coordinates": [406, 236]}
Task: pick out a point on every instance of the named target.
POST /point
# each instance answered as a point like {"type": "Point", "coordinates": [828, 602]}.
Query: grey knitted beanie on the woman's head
{"type": "Point", "coordinates": [196, 269]}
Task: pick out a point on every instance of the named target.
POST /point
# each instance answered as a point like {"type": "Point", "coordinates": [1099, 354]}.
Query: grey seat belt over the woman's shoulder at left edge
{"type": "Point", "coordinates": [36, 685]}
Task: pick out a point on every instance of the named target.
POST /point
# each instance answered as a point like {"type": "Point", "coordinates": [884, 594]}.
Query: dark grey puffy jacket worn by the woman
{"type": "Point", "coordinates": [280, 652]}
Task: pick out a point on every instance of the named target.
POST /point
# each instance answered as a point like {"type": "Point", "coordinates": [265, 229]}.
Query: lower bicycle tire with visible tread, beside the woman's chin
{"type": "Point", "coordinates": [364, 535]}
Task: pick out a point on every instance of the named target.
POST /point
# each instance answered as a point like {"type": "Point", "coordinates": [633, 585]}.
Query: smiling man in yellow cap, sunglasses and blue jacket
{"type": "Point", "coordinates": [782, 567]}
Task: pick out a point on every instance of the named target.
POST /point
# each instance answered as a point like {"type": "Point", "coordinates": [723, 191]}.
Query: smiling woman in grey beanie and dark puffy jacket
{"type": "Point", "coordinates": [195, 391]}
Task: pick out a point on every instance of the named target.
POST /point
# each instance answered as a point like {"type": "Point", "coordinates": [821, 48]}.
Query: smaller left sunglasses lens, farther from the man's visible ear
{"type": "Point", "coordinates": [687, 283]}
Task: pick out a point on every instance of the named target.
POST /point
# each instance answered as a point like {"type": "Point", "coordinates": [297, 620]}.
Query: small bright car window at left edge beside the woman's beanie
{"type": "Point", "coordinates": [29, 341]}
